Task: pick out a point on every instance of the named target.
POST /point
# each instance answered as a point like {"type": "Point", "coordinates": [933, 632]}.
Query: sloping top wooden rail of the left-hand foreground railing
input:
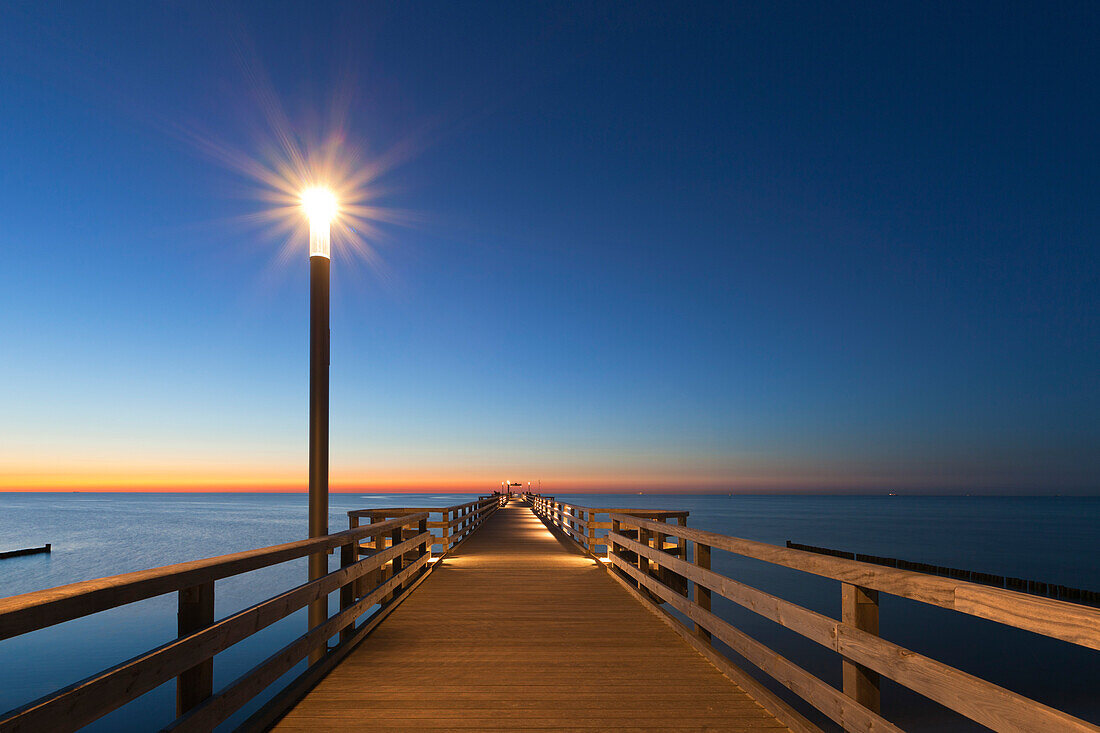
{"type": "Point", "coordinates": [27, 612]}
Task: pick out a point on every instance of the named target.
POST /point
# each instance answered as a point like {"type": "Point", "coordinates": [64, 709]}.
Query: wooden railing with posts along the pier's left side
{"type": "Point", "coordinates": [395, 563]}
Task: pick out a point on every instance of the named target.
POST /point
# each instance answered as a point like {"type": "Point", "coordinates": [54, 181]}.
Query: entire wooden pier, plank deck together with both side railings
{"type": "Point", "coordinates": [527, 614]}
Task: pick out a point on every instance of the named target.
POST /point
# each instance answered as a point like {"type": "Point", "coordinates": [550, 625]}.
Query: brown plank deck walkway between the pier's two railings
{"type": "Point", "coordinates": [520, 631]}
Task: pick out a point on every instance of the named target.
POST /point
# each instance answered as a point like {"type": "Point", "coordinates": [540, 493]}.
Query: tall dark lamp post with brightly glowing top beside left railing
{"type": "Point", "coordinates": [321, 206]}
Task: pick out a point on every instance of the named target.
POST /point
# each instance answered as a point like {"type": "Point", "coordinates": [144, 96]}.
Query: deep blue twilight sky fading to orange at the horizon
{"type": "Point", "coordinates": [619, 247]}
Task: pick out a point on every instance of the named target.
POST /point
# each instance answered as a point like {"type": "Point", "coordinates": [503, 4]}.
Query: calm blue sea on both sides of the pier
{"type": "Point", "coordinates": [1052, 540]}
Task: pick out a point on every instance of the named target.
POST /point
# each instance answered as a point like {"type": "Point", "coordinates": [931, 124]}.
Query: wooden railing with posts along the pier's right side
{"type": "Point", "coordinates": [642, 559]}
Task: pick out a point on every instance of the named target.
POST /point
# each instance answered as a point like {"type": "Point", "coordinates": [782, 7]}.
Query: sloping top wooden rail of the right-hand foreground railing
{"type": "Point", "coordinates": [1062, 620]}
